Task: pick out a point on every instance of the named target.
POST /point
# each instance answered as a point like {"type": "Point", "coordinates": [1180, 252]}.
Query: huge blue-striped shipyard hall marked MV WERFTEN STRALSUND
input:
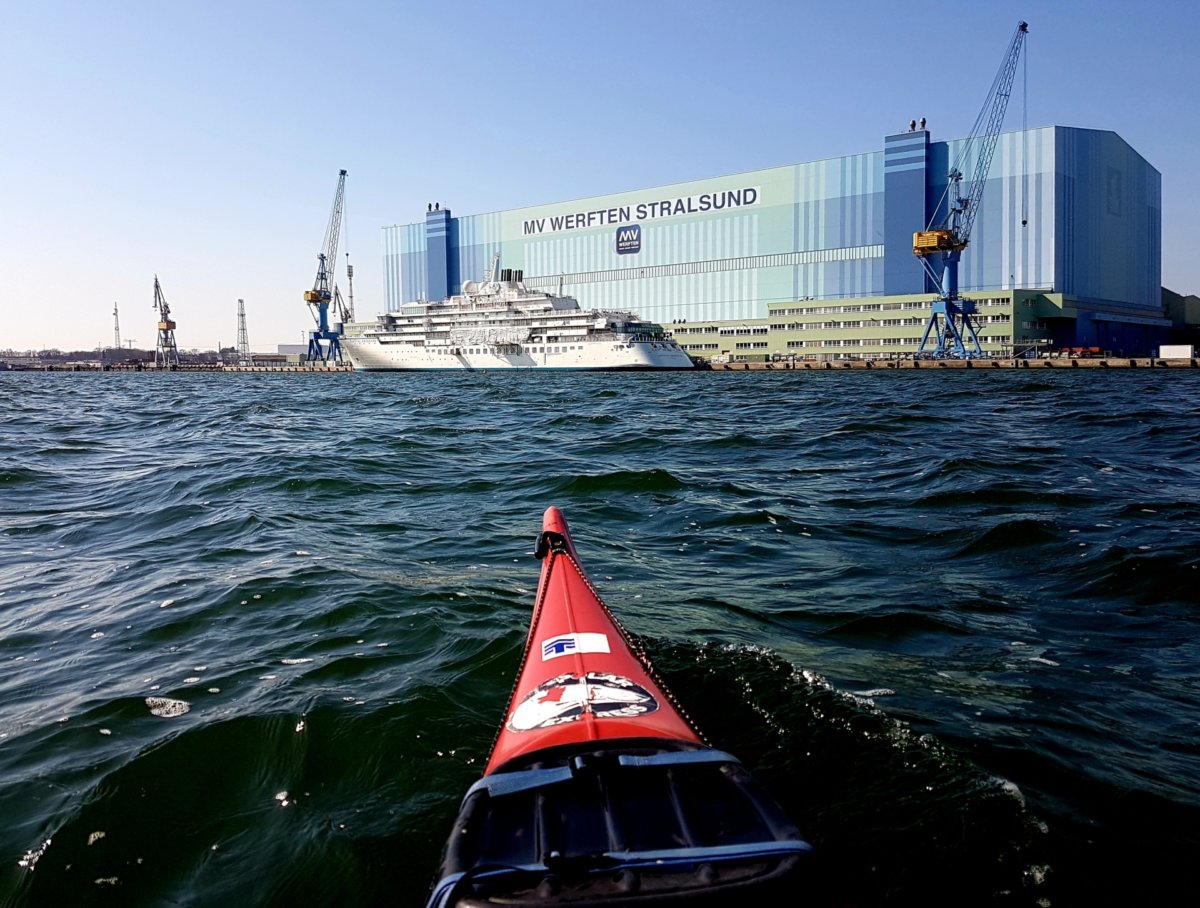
{"type": "Point", "coordinates": [815, 261]}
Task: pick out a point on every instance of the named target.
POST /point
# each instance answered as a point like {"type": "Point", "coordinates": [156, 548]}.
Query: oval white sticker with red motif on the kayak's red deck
{"type": "Point", "coordinates": [569, 697]}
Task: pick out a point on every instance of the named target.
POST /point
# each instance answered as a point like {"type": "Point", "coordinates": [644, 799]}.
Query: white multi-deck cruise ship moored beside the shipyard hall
{"type": "Point", "coordinates": [501, 324]}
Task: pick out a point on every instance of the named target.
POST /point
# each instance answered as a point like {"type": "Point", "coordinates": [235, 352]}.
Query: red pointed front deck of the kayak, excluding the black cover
{"type": "Point", "coordinates": [583, 678]}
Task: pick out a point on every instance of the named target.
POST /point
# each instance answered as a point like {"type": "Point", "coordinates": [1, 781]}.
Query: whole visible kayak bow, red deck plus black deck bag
{"type": "Point", "coordinates": [598, 791]}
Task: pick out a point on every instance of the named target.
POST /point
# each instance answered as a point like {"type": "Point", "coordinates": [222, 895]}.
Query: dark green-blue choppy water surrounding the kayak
{"type": "Point", "coordinates": [951, 618]}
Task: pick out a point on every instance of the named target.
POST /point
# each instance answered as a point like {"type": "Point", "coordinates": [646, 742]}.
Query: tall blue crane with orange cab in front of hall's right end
{"type": "Point", "coordinates": [952, 321]}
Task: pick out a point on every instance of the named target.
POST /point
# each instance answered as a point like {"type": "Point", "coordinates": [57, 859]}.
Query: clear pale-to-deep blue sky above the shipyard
{"type": "Point", "coordinates": [202, 141]}
